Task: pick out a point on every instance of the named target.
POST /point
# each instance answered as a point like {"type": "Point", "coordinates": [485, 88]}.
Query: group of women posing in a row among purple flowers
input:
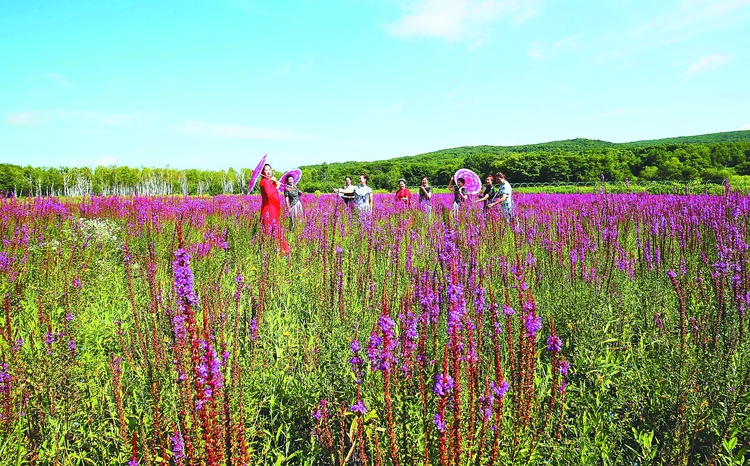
{"type": "Point", "coordinates": [497, 191]}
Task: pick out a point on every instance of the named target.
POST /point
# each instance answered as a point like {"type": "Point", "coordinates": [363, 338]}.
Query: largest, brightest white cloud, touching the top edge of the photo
{"type": "Point", "coordinates": [457, 20]}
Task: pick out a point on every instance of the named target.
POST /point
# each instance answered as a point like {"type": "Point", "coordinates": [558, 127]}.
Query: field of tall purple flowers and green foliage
{"type": "Point", "coordinates": [591, 329]}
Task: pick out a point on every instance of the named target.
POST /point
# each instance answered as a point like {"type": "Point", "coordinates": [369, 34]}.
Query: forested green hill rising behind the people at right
{"type": "Point", "coordinates": [707, 156]}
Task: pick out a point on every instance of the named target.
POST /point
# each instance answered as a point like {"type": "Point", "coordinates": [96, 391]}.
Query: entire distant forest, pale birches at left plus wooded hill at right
{"type": "Point", "coordinates": [705, 157]}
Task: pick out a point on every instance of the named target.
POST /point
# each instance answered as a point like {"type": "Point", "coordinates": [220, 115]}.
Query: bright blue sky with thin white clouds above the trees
{"type": "Point", "coordinates": [217, 84]}
